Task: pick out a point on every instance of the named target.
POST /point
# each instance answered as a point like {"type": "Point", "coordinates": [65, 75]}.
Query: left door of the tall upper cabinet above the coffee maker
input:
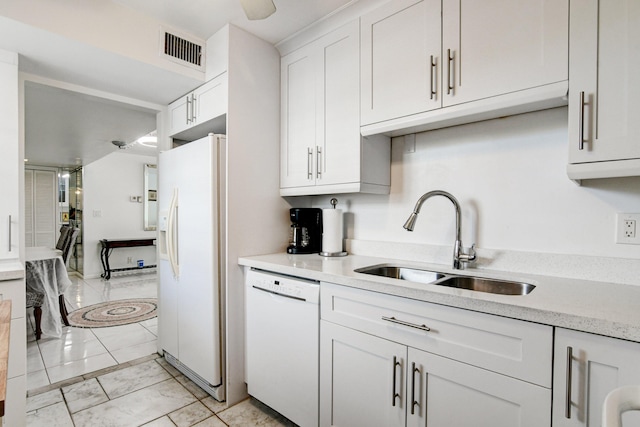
{"type": "Point", "coordinates": [298, 115]}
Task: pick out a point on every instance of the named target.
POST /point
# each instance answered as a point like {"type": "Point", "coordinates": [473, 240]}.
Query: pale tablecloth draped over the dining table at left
{"type": "Point", "coordinates": [46, 273]}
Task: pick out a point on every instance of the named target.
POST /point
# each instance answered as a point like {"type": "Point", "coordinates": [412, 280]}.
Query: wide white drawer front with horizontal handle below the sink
{"type": "Point", "coordinates": [512, 347]}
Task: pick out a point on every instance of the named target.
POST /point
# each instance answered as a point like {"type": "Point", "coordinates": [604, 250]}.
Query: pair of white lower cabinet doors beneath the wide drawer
{"type": "Point", "coordinates": [370, 381]}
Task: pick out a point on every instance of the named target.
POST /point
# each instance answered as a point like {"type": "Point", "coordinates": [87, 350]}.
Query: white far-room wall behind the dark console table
{"type": "Point", "coordinates": [108, 214]}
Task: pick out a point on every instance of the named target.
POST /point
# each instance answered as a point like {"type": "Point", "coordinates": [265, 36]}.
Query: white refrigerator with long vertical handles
{"type": "Point", "coordinates": [191, 198]}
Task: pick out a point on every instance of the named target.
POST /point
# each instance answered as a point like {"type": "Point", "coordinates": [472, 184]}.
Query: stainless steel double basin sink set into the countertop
{"type": "Point", "coordinates": [480, 284]}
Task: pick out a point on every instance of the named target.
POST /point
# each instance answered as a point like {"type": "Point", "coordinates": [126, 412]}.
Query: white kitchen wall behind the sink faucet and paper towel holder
{"type": "Point", "coordinates": [509, 176]}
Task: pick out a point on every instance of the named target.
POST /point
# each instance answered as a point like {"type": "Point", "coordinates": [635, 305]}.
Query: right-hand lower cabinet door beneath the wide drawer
{"type": "Point", "coordinates": [448, 393]}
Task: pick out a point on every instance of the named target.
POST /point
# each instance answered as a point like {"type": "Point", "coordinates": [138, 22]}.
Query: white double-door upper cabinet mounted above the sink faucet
{"type": "Point", "coordinates": [427, 64]}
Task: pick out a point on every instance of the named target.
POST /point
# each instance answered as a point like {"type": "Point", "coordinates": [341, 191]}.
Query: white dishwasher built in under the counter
{"type": "Point", "coordinates": [283, 334]}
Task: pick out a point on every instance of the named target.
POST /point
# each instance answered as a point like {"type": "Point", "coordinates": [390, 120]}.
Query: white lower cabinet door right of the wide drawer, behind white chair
{"type": "Point", "coordinates": [586, 368]}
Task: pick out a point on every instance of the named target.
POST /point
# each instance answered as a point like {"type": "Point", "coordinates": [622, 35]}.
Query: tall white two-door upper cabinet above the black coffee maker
{"type": "Point", "coordinates": [322, 151]}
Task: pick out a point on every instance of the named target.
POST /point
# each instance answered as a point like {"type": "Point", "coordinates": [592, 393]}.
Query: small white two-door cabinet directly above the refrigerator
{"type": "Point", "coordinates": [203, 104]}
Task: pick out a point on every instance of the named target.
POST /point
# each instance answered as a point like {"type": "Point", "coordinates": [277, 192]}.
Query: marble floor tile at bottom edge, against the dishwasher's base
{"type": "Point", "coordinates": [251, 412]}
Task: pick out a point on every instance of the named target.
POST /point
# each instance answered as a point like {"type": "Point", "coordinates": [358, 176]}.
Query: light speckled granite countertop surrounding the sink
{"type": "Point", "coordinates": [608, 309]}
